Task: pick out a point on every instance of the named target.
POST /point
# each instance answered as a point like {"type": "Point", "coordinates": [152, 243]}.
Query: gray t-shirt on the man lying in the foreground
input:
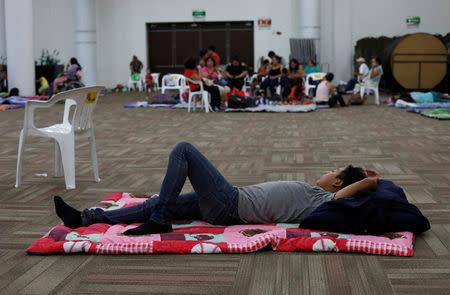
{"type": "Point", "coordinates": [280, 201]}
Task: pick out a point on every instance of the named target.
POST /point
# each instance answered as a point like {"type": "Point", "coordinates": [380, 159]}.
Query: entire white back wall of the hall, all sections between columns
{"type": "Point", "coordinates": [121, 29]}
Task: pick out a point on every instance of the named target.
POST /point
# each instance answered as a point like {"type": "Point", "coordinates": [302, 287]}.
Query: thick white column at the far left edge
{"type": "Point", "coordinates": [19, 45]}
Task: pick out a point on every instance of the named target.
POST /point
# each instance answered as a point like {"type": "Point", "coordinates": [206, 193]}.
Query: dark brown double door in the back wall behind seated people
{"type": "Point", "coordinates": [169, 44]}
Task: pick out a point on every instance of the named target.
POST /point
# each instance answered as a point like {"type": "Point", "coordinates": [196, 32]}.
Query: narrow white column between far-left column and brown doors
{"type": "Point", "coordinates": [86, 40]}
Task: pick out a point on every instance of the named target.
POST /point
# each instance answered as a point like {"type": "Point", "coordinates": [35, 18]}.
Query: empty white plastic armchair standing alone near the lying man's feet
{"type": "Point", "coordinates": [79, 125]}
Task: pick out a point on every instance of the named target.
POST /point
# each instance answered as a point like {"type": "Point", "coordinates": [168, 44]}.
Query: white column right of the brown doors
{"type": "Point", "coordinates": [310, 21]}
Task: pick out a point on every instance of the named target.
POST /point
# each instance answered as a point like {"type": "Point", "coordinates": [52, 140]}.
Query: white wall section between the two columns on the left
{"type": "Point", "coordinates": [54, 28]}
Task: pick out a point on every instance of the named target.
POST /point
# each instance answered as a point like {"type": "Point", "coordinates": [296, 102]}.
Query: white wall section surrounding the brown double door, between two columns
{"type": "Point", "coordinates": [119, 40]}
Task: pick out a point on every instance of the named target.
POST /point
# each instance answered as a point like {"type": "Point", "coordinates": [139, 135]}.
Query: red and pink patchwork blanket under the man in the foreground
{"type": "Point", "coordinates": [201, 237]}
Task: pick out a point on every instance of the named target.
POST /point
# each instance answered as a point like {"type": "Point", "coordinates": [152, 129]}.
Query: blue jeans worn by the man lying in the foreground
{"type": "Point", "coordinates": [214, 200]}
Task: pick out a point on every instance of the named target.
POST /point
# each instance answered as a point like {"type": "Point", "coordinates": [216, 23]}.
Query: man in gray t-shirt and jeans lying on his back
{"type": "Point", "coordinates": [218, 202]}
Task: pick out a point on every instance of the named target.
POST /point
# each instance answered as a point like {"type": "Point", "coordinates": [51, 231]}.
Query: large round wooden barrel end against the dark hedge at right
{"type": "Point", "coordinates": [417, 61]}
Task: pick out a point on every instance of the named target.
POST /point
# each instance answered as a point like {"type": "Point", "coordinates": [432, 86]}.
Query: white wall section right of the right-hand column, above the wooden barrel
{"type": "Point", "coordinates": [356, 19]}
